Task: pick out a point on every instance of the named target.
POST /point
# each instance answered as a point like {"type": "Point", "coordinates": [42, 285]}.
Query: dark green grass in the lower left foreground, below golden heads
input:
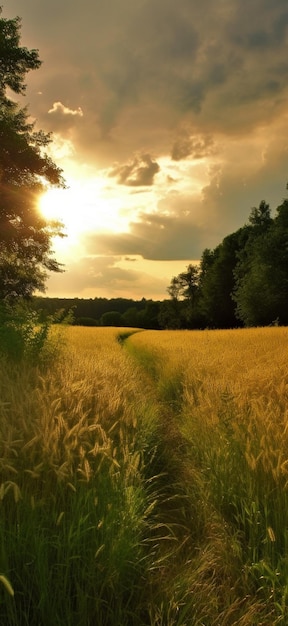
{"type": "Point", "coordinates": [87, 549]}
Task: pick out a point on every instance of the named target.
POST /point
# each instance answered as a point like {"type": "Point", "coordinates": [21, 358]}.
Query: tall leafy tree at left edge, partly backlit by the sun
{"type": "Point", "coordinates": [25, 172]}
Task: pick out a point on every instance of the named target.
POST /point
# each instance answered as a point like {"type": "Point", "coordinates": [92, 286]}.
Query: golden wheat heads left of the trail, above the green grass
{"type": "Point", "coordinates": [58, 423]}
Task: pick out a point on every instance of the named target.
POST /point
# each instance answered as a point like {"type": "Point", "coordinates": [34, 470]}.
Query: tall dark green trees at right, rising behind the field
{"type": "Point", "coordinates": [242, 282]}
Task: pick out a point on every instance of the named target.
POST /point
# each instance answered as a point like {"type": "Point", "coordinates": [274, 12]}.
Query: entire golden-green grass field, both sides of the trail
{"type": "Point", "coordinates": [143, 480]}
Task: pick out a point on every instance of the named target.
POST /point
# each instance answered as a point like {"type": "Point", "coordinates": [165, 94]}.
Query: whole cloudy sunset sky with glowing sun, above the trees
{"type": "Point", "coordinates": [170, 122]}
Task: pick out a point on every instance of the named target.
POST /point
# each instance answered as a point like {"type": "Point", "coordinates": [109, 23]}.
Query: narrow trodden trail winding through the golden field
{"type": "Point", "coordinates": [180, 486]}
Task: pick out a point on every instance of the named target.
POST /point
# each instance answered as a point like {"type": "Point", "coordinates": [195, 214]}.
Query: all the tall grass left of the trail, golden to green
{"type": "Point", "coordinates": [75, 510]}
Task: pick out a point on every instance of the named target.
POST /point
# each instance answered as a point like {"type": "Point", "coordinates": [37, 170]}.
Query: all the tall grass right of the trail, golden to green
{"type": "Point", "coordinates": [232, 417]}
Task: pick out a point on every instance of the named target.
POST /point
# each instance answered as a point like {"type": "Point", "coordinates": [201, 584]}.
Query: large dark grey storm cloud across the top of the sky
{"type": "Point", "coordinates": [223, 64]}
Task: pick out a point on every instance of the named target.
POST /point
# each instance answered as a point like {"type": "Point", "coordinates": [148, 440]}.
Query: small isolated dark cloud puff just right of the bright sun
{"type": "Point", "coordinates": [137, 173]}
